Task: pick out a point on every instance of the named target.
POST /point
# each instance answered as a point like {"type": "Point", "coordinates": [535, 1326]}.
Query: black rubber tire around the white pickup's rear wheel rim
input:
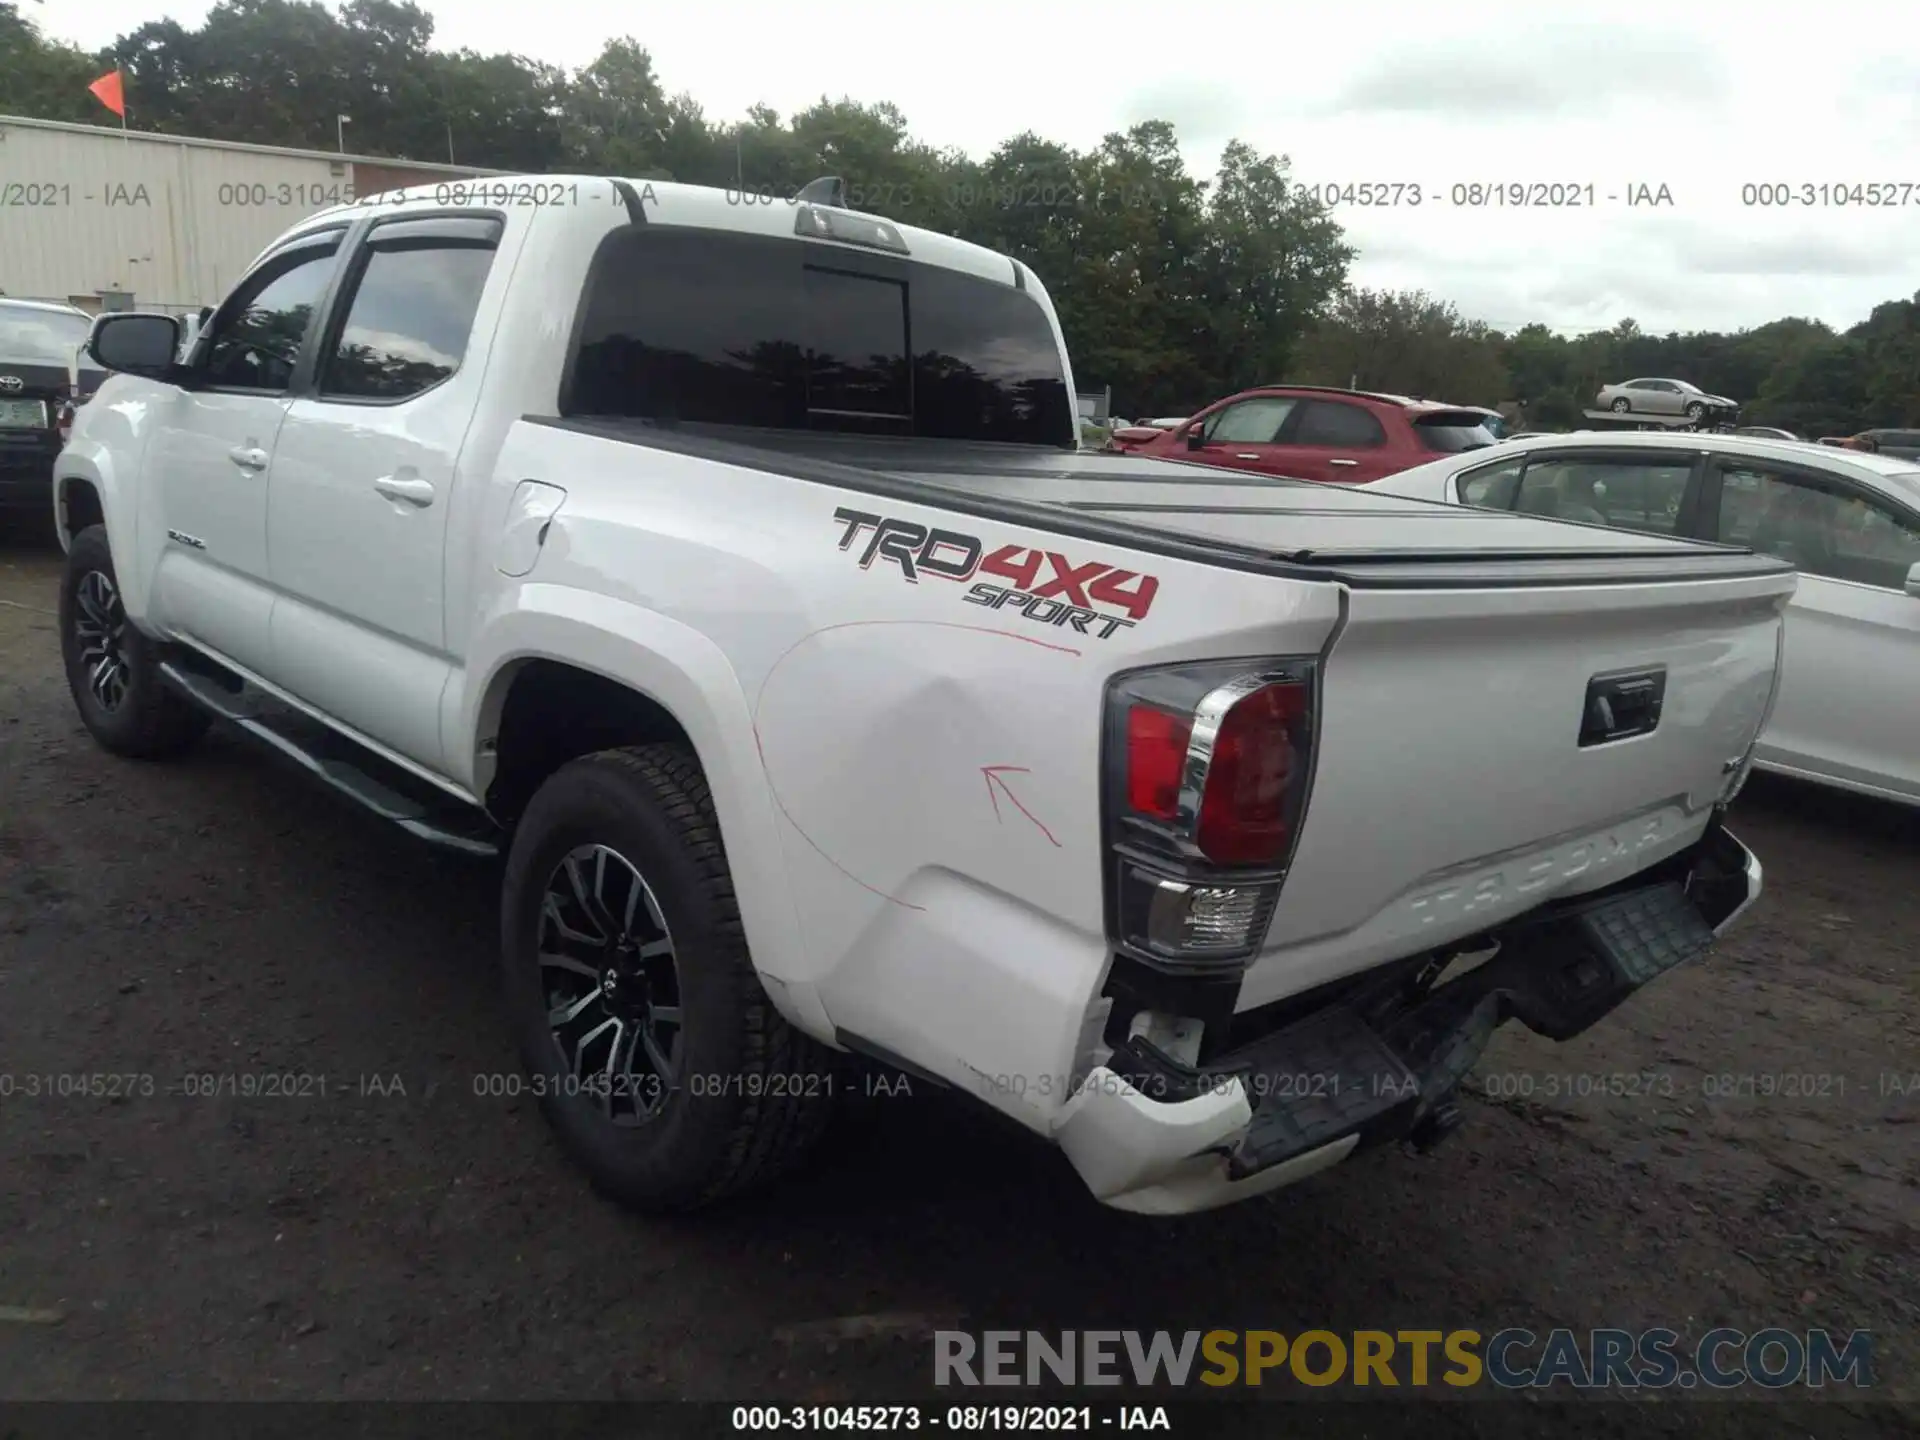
{"type": "Point", "coordinates": [752, 1093]}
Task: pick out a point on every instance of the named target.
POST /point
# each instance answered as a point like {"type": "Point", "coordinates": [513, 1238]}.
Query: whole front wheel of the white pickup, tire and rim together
{"type": "Point", "coordinates": [114, 669]}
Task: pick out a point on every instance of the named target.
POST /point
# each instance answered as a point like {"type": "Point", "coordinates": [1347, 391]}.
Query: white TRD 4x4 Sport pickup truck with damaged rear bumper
{"type": "Point", "coordinates": [732, 571]}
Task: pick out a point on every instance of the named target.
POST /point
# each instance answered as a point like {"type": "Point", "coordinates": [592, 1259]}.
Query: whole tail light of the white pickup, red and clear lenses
{"type": "Point", "coordinates": [1209, 773]}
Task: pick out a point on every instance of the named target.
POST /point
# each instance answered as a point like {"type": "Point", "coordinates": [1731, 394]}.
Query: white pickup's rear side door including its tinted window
{"type": "Point", "coordinates": [364, 483]}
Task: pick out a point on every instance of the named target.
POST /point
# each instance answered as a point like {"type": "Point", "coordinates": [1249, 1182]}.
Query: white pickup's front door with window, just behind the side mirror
{"type": "Point", "coordinates": [212, 460]}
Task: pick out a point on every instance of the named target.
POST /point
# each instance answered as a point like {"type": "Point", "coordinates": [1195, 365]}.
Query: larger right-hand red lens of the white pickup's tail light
{"type": "Point", "coordinates": [1259, 754]}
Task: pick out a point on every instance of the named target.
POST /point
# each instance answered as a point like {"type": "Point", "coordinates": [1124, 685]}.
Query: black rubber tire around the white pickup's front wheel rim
{"type": "Point", "coordinates": [153, 721]}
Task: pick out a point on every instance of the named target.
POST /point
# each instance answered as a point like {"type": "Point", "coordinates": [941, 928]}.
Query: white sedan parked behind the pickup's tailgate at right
{"type": "Point", "coordinates": [1848, 711]}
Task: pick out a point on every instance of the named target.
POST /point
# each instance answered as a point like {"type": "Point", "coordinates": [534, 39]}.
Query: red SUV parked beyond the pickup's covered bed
{"type": "Point", "coordinates": [1314, 433]}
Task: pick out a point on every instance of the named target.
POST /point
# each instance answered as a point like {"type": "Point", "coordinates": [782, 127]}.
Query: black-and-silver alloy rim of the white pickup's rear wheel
{"type": "Point", "coordinates": [612, 982]}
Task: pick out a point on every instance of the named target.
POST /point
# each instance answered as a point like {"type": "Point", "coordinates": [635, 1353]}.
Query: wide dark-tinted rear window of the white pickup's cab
{"type": "Point", "coordinates": [727, 329]}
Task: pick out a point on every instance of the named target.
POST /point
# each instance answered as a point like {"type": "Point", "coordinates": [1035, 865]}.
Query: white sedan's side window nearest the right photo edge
{"type": "Point", "coordinates": [1827, 533]}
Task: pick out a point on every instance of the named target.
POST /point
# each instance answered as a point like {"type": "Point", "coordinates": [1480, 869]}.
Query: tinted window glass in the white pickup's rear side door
{"type": "Point", "coordinates": [408, 324]}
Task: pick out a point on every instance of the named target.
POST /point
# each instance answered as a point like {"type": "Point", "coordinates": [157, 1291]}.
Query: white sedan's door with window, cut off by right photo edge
{"type": "Point", "coordinates": [1850, 686]}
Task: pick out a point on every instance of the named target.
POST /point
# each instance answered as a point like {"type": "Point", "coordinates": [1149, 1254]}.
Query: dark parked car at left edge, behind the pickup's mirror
{"type": "Point", "coordinates": [41, 377]}
